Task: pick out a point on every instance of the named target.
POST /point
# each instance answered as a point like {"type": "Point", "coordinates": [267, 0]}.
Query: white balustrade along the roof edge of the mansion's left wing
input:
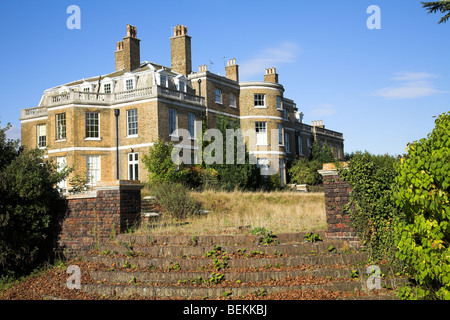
{"type": "Point", "coordinates": [108, 99]}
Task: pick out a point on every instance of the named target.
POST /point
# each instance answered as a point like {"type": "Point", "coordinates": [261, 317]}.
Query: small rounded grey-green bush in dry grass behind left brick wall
{"type": "Point", "coordinates": [175, 199]}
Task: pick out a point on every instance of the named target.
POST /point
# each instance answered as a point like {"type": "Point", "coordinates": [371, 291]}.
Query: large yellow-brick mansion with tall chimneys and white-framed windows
{"type": "Point", "coordinates": [104, 125]}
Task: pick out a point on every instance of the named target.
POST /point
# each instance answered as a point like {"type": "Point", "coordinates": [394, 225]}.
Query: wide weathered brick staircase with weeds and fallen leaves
{"type": "Point", "coordinates": [229, 266]}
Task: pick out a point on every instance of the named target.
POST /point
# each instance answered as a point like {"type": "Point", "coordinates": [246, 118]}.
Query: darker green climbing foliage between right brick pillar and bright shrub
{"type": "Point", "coordinates": [373, 211]}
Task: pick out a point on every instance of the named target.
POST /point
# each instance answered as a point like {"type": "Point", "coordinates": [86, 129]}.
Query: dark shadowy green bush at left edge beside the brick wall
{"type": "Point", "coordinates": [27, 209]}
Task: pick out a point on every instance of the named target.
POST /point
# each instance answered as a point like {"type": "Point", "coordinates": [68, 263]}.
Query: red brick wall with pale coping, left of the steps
{"type": "Point", "coordinates": [91, 218]}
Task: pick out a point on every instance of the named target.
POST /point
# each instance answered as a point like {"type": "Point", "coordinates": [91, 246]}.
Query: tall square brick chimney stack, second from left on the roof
{"type": "Point", "coordinates": [180, 45]}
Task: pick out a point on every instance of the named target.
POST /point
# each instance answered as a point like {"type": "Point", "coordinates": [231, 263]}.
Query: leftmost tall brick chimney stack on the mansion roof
{"type": "Point", "coordinates": [128, 55]}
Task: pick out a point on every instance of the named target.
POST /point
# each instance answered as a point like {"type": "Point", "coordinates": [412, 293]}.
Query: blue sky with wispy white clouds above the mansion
{"type": "Point", "coordinates": [380, 87]}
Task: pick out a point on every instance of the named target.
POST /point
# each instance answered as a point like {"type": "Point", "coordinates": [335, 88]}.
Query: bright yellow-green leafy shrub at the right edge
{"type": "Point", "coordinates": [422, 192]}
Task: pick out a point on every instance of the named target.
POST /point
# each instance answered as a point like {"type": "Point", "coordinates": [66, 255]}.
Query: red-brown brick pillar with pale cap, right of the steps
{"type": "Point", "coordinates": [336, 197]}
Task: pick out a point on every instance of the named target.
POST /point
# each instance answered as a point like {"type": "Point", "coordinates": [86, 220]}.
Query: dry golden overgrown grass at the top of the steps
{"type": "Point", "coordinates": [238, 212]}
